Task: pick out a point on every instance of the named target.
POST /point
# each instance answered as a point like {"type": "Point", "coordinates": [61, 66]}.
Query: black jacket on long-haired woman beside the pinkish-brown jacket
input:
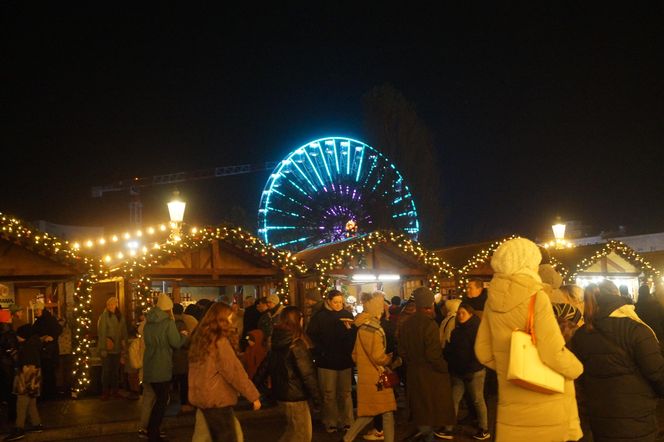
{"type": "Point", "coordinates": [291, 368]}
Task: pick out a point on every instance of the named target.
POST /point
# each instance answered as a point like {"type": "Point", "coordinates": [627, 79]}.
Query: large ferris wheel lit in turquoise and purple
{"type": "Point", "coordinates": [331, 189]}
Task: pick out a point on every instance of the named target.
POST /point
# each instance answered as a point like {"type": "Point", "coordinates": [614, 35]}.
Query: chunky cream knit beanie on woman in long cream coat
{"type": "Point", "coordinates": [517, 256]}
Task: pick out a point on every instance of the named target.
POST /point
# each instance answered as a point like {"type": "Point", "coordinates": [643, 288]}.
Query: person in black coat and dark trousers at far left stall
{"type": "Point", "coordinates": [48, 329]}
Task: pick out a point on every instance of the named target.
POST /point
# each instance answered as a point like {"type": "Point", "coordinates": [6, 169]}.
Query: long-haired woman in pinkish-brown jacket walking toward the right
{"type": "Point", "coordinates": [216, 375]}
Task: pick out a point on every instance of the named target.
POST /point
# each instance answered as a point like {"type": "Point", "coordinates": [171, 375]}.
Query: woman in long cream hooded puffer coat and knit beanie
{"type": "Point", "coordinates": [525, 415]}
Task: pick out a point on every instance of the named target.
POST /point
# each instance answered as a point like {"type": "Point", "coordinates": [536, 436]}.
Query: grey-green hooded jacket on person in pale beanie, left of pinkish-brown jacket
{"type": "Point", "coordinates": [161, 337]}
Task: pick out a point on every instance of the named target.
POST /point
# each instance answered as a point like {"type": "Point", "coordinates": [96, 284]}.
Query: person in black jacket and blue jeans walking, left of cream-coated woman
{"type": "Point", "coordinates": [466, 371]}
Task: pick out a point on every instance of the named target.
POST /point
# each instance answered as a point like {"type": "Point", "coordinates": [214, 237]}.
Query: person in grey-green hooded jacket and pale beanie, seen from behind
{"type": "Point", "coordinates": [161, 337]}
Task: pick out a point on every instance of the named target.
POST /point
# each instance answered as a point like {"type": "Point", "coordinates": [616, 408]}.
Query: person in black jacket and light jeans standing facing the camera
{"type": "Point", "coordinates": [333, 335]}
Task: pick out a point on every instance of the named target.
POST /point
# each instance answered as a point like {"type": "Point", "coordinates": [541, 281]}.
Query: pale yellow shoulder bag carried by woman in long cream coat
{"type": "Point", "coordinates": [526, 369]}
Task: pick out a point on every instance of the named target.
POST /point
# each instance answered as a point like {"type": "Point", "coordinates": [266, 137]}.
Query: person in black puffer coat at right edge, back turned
{"type": "Point", "coordinates": [623, 369]}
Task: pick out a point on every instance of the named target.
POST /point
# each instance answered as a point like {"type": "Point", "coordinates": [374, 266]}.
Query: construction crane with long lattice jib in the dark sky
{"type": "Point", "coordinates": [133, 185]}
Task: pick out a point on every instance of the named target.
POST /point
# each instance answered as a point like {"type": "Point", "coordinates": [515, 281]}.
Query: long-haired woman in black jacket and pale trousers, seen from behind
{"type": "Point", "coordinates": [293, 375]}
